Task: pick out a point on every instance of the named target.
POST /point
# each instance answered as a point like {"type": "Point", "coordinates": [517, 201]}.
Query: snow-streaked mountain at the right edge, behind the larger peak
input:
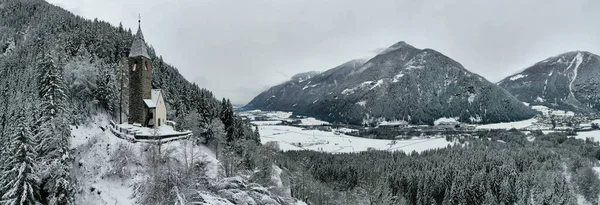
{"type": "Point", "coordinates": [568, 81]}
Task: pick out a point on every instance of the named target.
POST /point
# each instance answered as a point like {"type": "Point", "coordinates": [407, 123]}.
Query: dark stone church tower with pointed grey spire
{"type": "Point", "coordinates": [140, 79]}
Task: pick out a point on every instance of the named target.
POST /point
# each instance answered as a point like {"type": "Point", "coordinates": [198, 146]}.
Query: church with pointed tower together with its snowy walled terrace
{"type": "Point", "coordinates": [147, 118]}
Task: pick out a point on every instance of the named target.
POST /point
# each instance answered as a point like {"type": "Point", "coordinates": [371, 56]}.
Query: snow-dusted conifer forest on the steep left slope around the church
{"type": "Point", "coordinates": [59, 70]}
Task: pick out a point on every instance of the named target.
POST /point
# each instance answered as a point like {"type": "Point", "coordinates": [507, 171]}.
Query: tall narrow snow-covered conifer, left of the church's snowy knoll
{"type": "Point", "coordinates": [53, 135]}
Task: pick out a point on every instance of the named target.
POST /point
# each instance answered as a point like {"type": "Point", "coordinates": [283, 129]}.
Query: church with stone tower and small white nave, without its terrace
{"type": "Point", "coordinates": [146, 105]}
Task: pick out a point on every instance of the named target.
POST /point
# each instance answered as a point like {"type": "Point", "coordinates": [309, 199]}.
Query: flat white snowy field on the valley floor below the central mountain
{"type": "Point", "coordinates": [294, 138]}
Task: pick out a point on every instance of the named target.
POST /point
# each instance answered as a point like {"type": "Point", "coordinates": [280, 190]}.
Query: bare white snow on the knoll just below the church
{"type": "Point", "coordinates": [93, 148]}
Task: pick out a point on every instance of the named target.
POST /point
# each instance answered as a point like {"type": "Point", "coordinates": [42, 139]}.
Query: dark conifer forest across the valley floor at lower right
{"type": "Point", "coordinates": [499, 167]}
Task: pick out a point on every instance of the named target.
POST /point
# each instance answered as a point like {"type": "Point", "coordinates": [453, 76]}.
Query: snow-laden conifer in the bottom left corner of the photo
{"type": "Point", "coordinates": [20, 183]}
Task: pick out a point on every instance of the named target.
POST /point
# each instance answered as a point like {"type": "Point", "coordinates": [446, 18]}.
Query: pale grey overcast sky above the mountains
{"type": "Point", "coordinates": [239, 48]}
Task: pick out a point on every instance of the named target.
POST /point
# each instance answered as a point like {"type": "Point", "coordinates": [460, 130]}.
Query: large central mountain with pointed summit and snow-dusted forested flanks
{"type": "Point", "coordinates": [403, 83]}
